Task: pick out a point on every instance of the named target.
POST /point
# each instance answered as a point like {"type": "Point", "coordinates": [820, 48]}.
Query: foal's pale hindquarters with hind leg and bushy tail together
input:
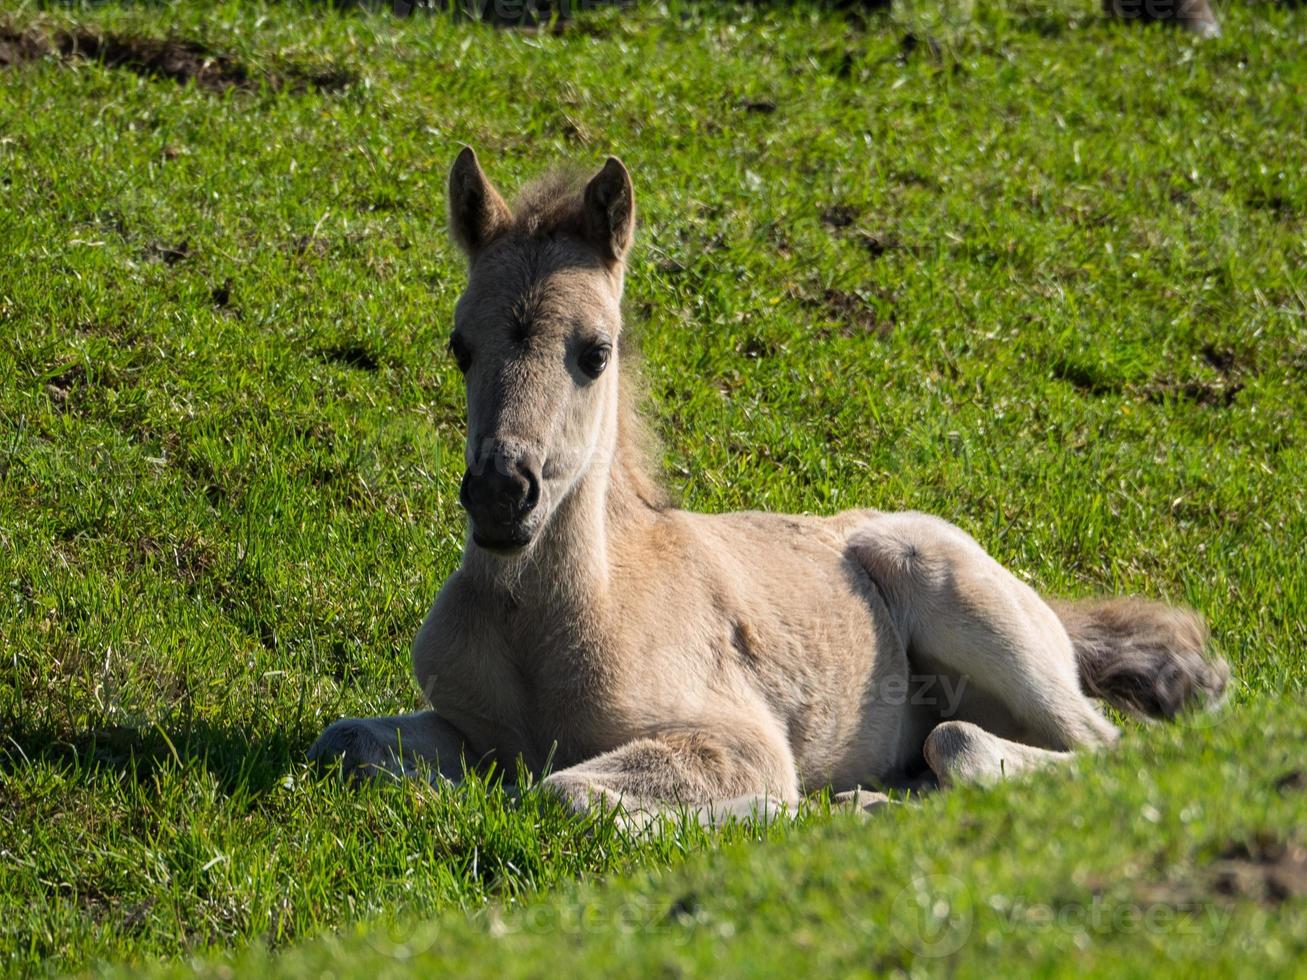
{"type": "Point", "coordinates": [963, 615]}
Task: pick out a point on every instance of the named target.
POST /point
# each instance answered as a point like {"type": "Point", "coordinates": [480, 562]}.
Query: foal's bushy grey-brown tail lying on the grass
{"type": "Point", "coordinates": [1147, 659]}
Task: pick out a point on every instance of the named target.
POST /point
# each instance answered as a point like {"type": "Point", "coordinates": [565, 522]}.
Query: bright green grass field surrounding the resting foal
{"type": "Point", "coordinates": [1019, 266]}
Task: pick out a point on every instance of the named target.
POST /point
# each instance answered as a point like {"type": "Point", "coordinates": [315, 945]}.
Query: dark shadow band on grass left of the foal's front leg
{"type": "Point", "coordinates": [240, 762]}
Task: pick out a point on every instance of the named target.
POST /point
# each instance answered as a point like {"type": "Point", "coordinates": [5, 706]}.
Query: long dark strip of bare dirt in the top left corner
{"type": "Point", "coordinates": [177, 59]}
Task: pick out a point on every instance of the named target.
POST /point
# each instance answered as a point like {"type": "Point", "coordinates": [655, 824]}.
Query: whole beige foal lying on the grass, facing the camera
{"type": "Point", "coordinates": [723, 663]}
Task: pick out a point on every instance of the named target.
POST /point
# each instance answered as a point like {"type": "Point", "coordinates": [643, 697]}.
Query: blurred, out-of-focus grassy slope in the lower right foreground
{"type": "Point", "coordinates": [1153, 864]}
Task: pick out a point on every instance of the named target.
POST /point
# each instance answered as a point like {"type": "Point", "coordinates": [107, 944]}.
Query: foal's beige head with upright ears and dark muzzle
{"type": "Point", "coordinates": [535, 335]}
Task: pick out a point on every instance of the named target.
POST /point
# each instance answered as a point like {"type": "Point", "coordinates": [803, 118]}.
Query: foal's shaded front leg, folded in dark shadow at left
{"type": "Point", "coordinates": [401, 745]}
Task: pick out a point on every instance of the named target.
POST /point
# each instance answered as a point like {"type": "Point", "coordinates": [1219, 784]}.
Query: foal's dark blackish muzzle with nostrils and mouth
{"type": "Point", "coordinates": [500, 493]}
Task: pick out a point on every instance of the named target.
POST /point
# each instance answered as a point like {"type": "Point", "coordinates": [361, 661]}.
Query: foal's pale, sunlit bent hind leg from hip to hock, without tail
{"type": "Point", "coordinates": [960, 611]}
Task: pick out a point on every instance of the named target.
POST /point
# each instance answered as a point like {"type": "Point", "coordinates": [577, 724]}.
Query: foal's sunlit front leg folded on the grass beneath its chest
{"type": "Point", "coordinates": [723, 770]}
